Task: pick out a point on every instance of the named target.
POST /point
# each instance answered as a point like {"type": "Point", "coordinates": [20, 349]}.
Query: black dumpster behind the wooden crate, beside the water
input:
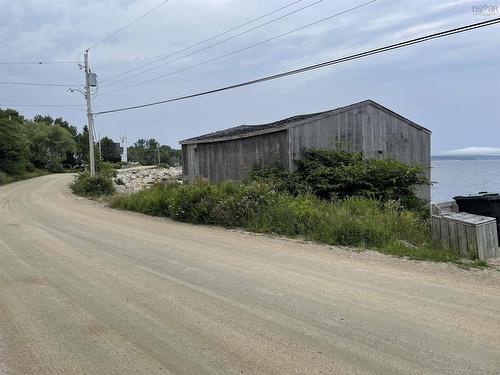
{"type": "Point", "coordinates": [485, 204]}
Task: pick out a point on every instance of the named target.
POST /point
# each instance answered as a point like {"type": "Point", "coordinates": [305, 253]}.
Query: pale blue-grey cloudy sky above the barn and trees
{"type": "Point", "coordinates": [450, 86]}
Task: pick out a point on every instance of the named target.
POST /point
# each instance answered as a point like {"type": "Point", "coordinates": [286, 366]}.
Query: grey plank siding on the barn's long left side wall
{"type": "Point", "coordinates": [233, 159]}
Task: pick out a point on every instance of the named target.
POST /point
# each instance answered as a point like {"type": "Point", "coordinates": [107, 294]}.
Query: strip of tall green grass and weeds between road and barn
{"type": "Point", "coordinates": [257, 207]}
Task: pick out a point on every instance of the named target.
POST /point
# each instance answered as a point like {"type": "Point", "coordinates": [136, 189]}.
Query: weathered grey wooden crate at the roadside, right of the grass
{"type": "Point", "coordinates": [469, 235]}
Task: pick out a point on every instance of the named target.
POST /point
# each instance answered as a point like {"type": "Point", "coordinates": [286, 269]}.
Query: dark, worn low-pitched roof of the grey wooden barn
{"type": "Point", "coordinates": [252, 130]}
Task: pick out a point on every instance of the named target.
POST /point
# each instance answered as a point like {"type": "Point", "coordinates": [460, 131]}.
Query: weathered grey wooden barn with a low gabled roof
{"type": "Point", "coordinates": [365, 127]}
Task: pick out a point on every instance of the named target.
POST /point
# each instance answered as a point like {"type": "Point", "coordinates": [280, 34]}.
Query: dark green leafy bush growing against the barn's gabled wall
{"type": "Point", "coordinates": [334, 174]}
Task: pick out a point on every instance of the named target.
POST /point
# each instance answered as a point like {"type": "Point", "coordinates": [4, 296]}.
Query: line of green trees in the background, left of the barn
{"type": "Point", "coordinates": [54, 145]}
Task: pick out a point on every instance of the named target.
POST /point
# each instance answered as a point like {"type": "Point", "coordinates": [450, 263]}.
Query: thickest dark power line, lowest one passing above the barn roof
{"type": "Point", "coordinates": [307, 68]}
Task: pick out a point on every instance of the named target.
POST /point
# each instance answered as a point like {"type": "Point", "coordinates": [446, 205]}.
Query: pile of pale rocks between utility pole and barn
{"type": "Point", "coordinates": [132, 180]}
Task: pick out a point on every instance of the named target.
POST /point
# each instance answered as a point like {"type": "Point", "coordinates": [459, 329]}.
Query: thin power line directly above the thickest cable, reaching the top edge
{"type": "Point", "coordinates": [245, 48]}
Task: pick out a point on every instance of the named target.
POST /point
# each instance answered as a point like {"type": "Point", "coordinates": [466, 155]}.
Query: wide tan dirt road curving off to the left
{"type": "Point", "coordinates": [89, 290]}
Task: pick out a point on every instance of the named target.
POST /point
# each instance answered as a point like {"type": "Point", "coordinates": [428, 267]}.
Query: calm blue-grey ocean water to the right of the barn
{"type": "Point", "coordinates": [452, 176]}
